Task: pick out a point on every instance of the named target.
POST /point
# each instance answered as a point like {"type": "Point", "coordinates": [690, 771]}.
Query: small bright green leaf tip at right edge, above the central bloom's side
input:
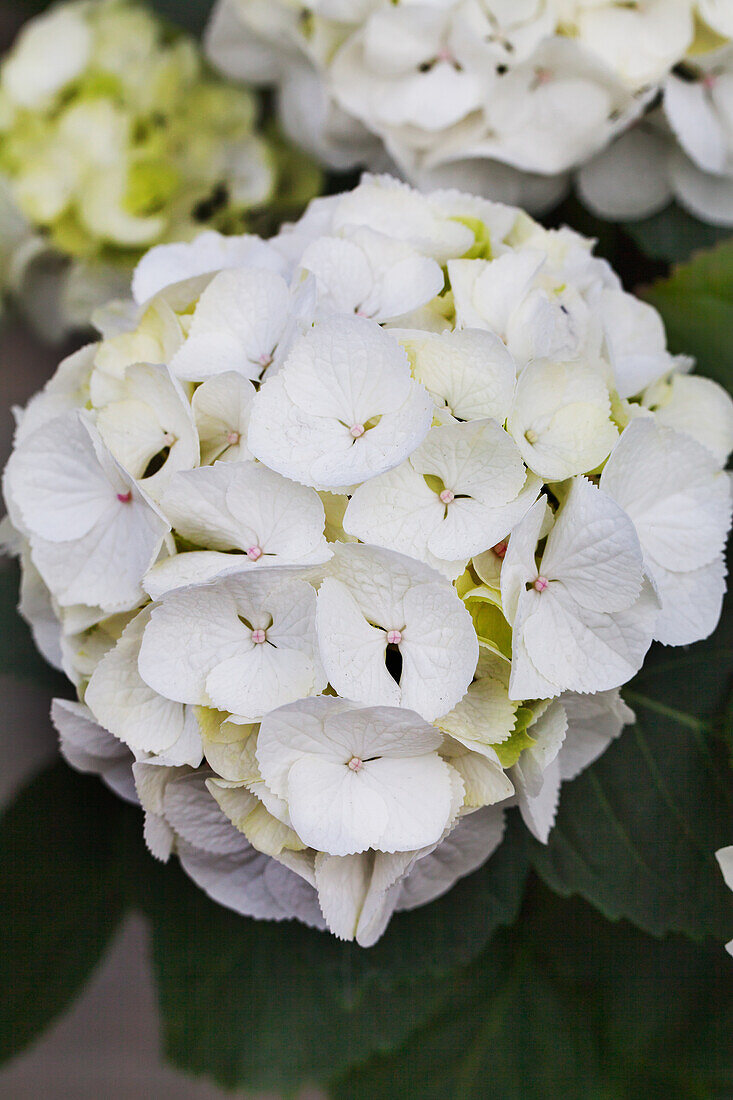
{"type": "Point", "coordinates": [696, 304]}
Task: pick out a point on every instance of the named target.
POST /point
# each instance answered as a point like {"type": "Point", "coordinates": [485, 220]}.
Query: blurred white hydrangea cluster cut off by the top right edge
{"type": "Point", "coordinates": [509, 98]}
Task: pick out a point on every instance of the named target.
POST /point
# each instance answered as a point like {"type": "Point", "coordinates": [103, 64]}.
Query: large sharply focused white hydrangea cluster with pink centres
{"type": "Point", "coordinates": [349, 538]}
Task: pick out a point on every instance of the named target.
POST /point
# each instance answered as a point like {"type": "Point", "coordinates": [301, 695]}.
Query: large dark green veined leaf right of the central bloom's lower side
{"type": "Point", "coordinates": [637, 833]}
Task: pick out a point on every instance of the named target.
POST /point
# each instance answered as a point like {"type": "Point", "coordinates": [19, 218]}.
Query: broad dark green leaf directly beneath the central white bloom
{"type": "Point", "coordinates": [264, 1005]}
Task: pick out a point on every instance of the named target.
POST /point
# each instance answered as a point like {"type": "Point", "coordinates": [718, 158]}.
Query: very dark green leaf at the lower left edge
{"type": "Point", "coordinates": [60, 904]}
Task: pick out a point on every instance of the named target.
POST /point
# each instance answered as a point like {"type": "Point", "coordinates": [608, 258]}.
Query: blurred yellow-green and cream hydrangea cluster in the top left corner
{"type": "Point", "coordinates": [115, 137]}
